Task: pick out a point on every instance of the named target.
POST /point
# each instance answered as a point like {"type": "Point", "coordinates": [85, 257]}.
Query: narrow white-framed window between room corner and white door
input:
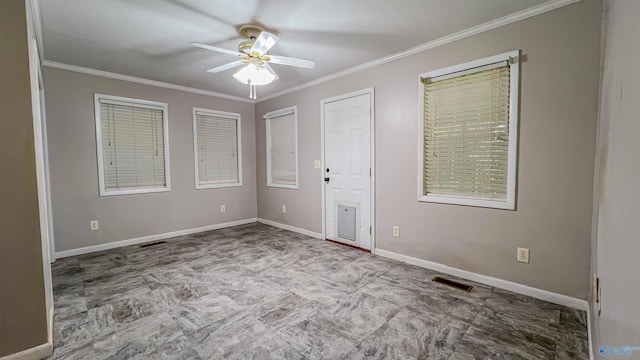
{"type": "Point", "coordinates": [282, 148]}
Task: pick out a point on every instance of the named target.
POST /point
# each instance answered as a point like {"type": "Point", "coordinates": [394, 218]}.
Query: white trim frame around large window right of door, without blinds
{"type": "Point", "coordinates": [514, 91]}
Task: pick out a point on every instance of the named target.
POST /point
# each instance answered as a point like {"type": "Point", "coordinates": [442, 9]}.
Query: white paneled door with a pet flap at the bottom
{"type": "Point", "coordinates": [347, 170]}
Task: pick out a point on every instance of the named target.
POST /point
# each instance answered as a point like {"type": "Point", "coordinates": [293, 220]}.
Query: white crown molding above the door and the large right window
{"type": "Point", "coordinates": [490, 25]}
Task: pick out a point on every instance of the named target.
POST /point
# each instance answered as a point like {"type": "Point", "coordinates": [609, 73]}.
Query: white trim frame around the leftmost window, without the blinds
{"type": "Point", "coordinates": [119, 100]}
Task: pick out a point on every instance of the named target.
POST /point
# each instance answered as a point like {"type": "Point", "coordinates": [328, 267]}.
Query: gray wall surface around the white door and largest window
{"type": "Point", "coordinates": [559, 100]}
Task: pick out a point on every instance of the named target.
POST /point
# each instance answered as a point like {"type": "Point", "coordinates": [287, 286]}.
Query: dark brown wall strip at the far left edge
{"type": "Point", "coordinates": [23, 322]}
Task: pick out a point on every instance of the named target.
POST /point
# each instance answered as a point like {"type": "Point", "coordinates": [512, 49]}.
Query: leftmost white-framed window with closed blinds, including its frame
{"type": "Point", "coordinates": [133, 145]}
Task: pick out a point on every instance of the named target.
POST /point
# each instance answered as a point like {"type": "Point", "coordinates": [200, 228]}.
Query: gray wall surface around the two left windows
{"type": "Point", "coordinates": [74, 171]}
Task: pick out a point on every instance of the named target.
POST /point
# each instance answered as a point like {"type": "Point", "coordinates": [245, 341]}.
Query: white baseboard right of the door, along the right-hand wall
{"type": "Point", "coordinates": [545, 295]}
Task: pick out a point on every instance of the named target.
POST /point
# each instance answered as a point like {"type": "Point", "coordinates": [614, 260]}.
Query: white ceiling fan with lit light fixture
{"type": "Point", "coordinates": [255, 69]}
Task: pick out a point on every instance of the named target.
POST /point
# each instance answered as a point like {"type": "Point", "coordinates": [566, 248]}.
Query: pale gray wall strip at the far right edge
{"type": "Point", "coordinates": [618, 178]}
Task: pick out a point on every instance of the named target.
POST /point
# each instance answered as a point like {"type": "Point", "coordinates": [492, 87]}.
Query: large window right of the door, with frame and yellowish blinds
{"type": "Point", "coordinates": [469, 133]}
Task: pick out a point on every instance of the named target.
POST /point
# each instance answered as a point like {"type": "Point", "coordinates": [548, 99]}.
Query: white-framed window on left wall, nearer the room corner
{"type": "Point", "coordinates": [217, 149]}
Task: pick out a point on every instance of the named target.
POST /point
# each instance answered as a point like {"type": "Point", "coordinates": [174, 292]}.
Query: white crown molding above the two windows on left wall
{"type": "Point", "coordinates": [116, 76]}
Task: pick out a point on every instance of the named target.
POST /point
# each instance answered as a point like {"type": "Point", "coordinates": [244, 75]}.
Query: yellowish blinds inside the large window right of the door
{"type": "Point", "coordinates": [466, 134]}
